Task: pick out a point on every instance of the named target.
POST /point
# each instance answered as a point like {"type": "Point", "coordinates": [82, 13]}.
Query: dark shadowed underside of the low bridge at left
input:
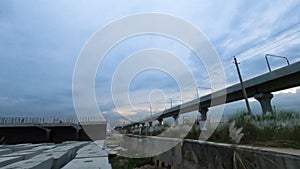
{"type": "Point", "coordinates": [55, 133]}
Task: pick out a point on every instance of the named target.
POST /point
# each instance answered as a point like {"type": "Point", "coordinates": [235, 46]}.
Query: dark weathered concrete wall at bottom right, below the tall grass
{"type": "Point", "coordinates": [193, 154]}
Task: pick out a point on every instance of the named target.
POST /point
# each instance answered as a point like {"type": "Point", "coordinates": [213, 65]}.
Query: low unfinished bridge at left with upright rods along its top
{"type": "Point", "coordinates": [15, 130]}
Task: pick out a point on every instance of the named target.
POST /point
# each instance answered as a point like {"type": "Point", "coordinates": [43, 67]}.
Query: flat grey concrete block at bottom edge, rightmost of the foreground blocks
{"type": "Point", "coordinates": [92, 163]}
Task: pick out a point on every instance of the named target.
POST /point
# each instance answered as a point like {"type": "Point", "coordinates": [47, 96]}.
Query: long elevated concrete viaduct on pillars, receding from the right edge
{"type": "Point", "coordinates": [259, 87]}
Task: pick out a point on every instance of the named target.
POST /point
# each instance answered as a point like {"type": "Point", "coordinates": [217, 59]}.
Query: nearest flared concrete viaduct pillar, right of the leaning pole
{"type": "Point", "coordinates": [265, 101]}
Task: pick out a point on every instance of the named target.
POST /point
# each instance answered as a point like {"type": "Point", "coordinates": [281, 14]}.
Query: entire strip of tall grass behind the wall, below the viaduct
{"type": "Point", "coordinates": [278, 129]}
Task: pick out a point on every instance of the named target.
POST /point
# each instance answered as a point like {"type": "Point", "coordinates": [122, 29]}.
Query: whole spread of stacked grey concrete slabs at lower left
{"type": "Point", "coordinates": [54, 156]}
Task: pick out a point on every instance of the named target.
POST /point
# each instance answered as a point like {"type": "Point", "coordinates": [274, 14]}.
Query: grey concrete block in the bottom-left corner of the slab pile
{"type": "Point", "coordinates": [37, 162]}
